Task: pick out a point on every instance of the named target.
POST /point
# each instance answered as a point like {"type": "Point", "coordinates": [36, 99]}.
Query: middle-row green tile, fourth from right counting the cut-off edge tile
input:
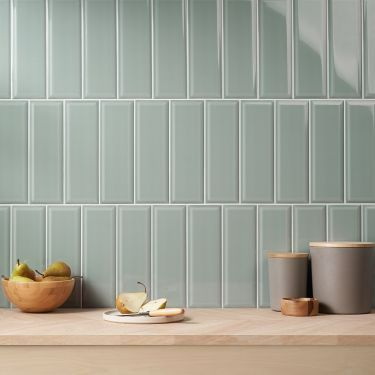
{"type": "Point", "coordinates": [257, 152]}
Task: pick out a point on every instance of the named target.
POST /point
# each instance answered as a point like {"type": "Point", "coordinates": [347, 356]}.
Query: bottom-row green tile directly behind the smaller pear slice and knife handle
{"type": "Point", "coordinates": [169, 254]}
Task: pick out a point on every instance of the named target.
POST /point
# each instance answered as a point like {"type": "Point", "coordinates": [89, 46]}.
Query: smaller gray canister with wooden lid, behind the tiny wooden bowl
{"type": "Point", "coordinates": [287, 276]}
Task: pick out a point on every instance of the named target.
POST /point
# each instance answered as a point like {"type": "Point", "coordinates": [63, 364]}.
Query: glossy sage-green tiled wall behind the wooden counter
{"type": "Point", "coordinates": [175, 142]}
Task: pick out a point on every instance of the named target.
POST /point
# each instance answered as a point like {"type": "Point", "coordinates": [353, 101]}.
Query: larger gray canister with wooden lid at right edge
{"type": "Point", "coordinates": [341, 275]}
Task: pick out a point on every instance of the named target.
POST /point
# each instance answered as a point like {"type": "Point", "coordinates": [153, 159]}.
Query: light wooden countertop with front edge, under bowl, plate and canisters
{"type": "Point", "coordinates": [201, 327]}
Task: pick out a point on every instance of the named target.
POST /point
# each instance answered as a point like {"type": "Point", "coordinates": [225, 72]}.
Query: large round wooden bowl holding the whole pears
{"type": "Point", "coordinates": [38, 296]}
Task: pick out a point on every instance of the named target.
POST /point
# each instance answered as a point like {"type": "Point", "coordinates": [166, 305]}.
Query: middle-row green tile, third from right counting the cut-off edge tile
{"type": "Point", "coordinates": [292, 152]}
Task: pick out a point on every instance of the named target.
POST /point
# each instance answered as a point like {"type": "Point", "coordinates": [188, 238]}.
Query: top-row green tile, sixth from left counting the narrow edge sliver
{"type": "Point", "coordinates": [169, 49]}
